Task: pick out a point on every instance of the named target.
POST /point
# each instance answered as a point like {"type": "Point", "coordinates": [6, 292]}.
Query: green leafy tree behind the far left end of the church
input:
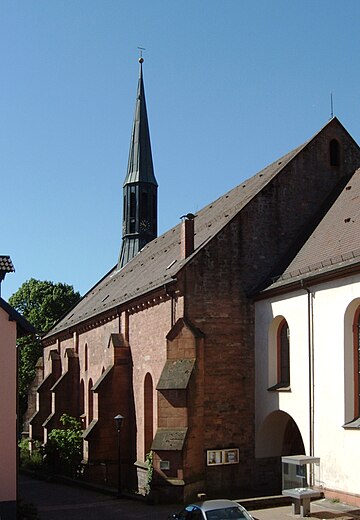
{"type": "Point", "coordinates": [42, 303]}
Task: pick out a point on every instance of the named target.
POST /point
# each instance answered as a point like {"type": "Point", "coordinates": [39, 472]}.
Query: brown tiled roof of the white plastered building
{"type": "Point", "coordinates": [335, 242]}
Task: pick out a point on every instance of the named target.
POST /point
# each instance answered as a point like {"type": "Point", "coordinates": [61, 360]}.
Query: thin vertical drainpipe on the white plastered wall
{"type": "Point", "coordinates": [311, 366]}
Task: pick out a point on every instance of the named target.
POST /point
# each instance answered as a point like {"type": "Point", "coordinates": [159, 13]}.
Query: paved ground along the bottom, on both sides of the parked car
{"type": "Point", "coordinates": [56, 501]}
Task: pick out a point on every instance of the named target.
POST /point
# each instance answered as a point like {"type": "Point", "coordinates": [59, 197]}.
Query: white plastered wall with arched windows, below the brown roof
{"type": "Point", "coordinates": [334, 305]}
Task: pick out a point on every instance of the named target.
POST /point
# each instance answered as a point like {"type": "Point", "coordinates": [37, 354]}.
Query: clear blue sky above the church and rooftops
{"type": "Point", "coordinates": [231, 85]}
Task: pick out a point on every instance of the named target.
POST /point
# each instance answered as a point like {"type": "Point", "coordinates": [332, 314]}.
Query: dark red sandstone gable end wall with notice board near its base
{"type": "Point", "coordinates": [235, 262]}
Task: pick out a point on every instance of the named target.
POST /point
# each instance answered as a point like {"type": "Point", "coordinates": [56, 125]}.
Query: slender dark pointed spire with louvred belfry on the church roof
{"type": "Point", "coordinates": [140, 186]}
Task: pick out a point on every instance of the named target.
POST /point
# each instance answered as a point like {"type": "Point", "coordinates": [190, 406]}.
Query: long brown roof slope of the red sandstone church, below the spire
{"type": "Point", "coordinates": [159, 261]}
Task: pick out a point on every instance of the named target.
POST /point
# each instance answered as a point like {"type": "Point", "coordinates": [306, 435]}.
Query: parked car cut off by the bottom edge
{"type": "Point", "coordinates": [213, 510]}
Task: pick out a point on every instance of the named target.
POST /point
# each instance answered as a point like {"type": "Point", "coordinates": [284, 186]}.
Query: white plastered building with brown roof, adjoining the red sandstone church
{"type": "Point", "coordinates": [307, 350]}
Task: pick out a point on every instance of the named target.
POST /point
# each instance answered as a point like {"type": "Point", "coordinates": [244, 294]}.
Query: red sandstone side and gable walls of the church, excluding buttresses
{"type": "Point", "coordinates": [220, 398]}
